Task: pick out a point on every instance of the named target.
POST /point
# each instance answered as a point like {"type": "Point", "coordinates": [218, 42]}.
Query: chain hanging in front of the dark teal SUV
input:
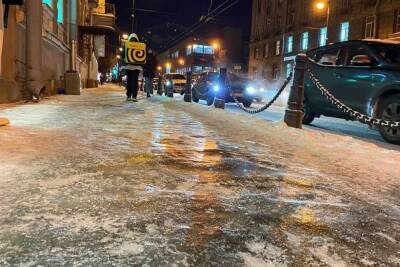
{"type": "Point", "coordinates": [346, 109]}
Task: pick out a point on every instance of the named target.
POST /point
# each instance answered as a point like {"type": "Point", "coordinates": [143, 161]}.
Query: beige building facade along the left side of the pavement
{"type": "Point", "coordinates": [37, 46]}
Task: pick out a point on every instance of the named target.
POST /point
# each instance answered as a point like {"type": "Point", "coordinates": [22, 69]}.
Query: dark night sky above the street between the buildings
{"type": "Point", "coordinates": [182, 14]}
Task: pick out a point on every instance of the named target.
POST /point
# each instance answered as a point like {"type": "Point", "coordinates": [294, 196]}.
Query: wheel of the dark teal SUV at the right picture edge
{"type": "Point", "coordinates": [390, 110]}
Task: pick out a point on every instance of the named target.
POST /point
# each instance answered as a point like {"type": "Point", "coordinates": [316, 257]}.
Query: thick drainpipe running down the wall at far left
{"type": "Point", "coordinates": [33, 44]}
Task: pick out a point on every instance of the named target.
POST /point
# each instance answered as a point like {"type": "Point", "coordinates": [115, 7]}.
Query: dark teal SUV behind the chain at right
{"type": "Point", "coordinates": [363, 74]}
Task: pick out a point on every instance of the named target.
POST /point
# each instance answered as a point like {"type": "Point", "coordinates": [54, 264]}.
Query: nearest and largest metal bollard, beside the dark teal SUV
{"type": "Point", "coordinates": [294, 111]}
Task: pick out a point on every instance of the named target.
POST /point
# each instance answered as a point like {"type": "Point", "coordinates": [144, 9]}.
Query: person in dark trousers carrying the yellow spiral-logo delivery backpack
{"type": "Point", "coordinates": [132, 71]}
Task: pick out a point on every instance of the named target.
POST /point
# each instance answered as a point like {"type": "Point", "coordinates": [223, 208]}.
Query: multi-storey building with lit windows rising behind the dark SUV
{"type": "Point", "coordinates": [283, 28]}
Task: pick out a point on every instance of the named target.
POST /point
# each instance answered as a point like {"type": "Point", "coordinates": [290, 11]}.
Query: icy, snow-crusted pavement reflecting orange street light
{"type": "Point", "coordinates": [94, 181]}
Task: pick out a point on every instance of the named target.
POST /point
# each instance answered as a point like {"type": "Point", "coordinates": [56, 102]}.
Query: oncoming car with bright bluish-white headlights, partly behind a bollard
{"type": "Point", "coordinates": [207, 86]}
